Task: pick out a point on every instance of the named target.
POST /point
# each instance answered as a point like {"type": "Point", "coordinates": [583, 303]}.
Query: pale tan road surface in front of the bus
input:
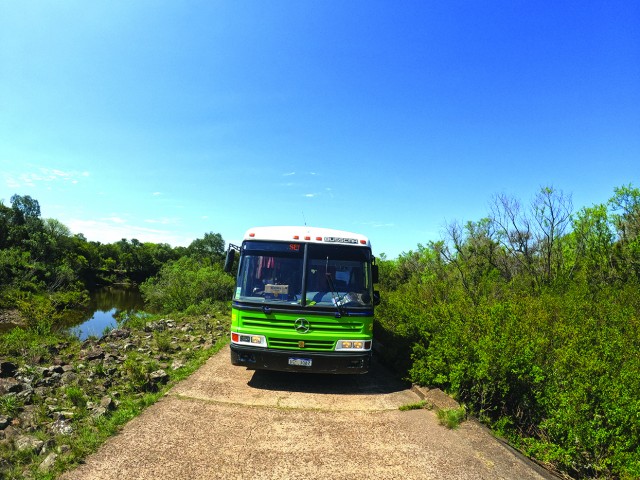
{"type": "Point", "coordinates": [226, 422]}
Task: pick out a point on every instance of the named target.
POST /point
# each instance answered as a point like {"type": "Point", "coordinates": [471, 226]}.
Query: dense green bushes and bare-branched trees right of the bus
{"type": "Point", "coordinates": [530, 317]}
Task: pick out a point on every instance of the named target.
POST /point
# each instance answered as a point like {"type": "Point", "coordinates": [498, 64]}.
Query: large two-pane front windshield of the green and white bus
{"type": "Point", "coordinates": [316, 276]}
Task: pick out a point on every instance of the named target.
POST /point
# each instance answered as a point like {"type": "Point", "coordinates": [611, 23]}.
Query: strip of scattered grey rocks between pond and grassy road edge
{"type": "Point", "coordinates": [44, 401]}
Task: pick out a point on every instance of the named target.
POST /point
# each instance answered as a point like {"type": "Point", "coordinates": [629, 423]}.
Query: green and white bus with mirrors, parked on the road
{"type": "Point", "coordinates": [304, 300]}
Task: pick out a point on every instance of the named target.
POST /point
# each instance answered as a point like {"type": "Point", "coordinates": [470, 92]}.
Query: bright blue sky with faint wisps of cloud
{"type": "Point", "coordinates": [162, 121]}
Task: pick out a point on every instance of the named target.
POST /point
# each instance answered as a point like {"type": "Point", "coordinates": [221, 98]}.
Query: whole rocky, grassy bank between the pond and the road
{"type": "Point", "coordinates": [59, 400]}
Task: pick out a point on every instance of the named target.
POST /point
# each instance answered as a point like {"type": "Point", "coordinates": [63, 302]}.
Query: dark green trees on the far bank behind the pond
{"type": "Point", "coordinates": [43, 263]}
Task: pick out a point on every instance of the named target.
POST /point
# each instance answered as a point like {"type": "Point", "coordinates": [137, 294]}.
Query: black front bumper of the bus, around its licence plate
{"type": "Point", "coordinates": [321, 362]}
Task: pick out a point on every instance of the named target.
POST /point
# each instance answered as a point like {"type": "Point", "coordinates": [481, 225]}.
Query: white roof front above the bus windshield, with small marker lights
{"type": "Point", "coordinates": [306, 234]}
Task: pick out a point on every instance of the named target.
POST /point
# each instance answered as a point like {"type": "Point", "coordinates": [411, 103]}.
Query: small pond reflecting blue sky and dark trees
{"type": "Point", "coordinates": [104, 304]}
